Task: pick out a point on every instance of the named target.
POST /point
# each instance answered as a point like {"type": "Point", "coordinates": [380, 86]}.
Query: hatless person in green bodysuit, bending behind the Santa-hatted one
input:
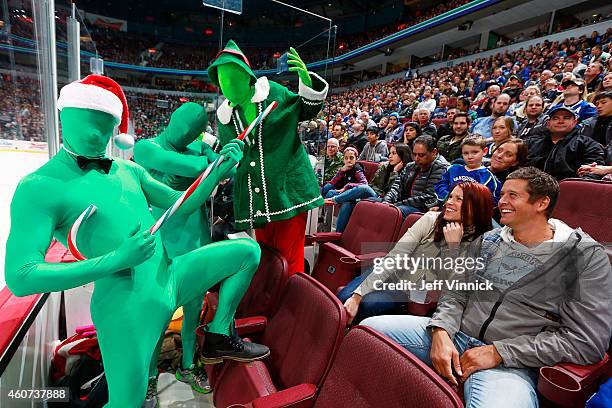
{"type": "Point", "coordinates": [176, 157]}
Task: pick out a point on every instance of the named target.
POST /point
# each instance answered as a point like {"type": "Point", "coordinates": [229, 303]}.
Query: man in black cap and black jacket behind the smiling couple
{"type": "Point", "coordinates": [560, 149]}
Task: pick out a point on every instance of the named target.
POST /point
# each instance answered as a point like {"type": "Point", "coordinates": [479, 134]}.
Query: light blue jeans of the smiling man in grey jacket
{"type": "Point", "coordinates": [498, 387]}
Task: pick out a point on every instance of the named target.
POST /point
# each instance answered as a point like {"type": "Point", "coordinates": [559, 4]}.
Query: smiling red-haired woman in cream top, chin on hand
{"type": "Point", "coordinates": [426, 252]}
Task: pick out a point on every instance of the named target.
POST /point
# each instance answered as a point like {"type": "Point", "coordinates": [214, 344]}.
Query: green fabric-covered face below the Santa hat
{"type": "Point", "coordinates": [85, 131]}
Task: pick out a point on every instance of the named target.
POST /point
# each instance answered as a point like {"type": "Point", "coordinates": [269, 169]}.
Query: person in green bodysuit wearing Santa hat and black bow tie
{"type": "Point", "coordinates": [137, 287]}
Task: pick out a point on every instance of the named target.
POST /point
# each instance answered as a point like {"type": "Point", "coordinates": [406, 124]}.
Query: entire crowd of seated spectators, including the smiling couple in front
{"type": "Point", "coordinates": [489, 141]}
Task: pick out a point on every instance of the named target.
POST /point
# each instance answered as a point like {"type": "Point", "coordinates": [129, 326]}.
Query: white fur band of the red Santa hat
{"type": "Point", "coordinates": [78, 95]}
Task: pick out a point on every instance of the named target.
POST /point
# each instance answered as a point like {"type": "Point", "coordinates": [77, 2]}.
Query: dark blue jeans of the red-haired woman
{"type": "Point", "coordinates": [380, 302]}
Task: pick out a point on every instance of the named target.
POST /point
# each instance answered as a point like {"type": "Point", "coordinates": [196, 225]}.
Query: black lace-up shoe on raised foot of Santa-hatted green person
{"type": "Point", "coordinates": [219, 347]}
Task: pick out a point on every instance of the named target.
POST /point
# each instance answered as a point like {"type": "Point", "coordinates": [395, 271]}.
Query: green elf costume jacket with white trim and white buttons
{"type": "Point", "coordinates": [274, 180]}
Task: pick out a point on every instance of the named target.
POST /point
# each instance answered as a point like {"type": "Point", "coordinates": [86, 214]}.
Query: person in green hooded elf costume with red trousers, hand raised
{"type": "Point", "coordinates": [275, 185]}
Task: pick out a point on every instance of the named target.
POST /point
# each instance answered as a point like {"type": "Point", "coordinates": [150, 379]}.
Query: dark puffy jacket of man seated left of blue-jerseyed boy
{"type": "Point", "coordinates": [416, 188]}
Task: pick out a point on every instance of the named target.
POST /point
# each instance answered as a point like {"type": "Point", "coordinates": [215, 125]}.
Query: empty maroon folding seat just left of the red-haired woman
{"type": "Point", "coordinates": [342, 256]}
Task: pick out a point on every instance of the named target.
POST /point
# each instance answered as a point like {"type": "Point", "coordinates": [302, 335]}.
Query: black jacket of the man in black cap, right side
{"type": "Point", "coordinates": [563, 159]}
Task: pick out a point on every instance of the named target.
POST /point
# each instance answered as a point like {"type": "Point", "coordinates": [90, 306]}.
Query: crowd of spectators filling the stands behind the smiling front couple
{"type": "Point", "coordinates": [547, 106]}
